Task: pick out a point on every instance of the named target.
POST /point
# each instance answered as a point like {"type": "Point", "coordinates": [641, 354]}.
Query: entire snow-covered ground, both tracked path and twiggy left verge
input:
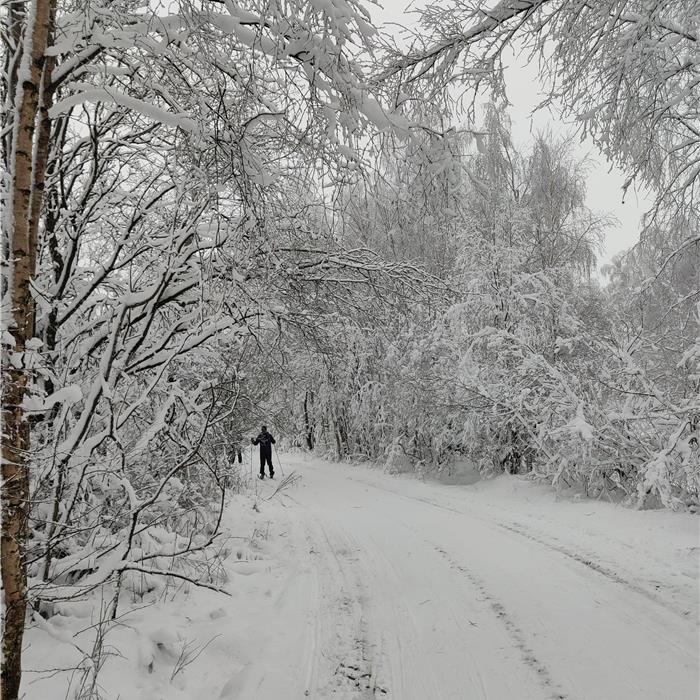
{"type": "Point", "coordinates": [355, 584]}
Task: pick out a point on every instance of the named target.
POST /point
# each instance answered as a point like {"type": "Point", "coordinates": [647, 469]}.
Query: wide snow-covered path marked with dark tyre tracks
{"type": "Point", "coordinates": [421, 591]}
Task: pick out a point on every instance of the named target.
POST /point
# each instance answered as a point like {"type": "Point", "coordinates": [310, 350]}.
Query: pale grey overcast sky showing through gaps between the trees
{"type": "Point", "coordinates": [524, 92]}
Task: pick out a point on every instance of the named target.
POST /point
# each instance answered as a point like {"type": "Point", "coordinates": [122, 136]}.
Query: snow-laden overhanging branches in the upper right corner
{"type": "Point", "coordinates": [627, 70]}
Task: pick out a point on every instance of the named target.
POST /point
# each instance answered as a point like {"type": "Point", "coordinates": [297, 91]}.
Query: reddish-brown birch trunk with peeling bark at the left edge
{"type": "Point", "coordinates": [31, 25]}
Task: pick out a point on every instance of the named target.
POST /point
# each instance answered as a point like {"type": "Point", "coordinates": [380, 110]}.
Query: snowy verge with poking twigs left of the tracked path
{"type": "Point", "coordinates": [171, 640]}
